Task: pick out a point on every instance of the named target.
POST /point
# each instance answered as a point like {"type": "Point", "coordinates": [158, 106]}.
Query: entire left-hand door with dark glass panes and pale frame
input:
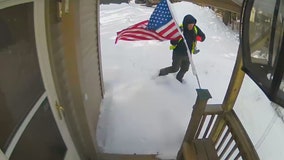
{"type": "Point", "coordinates": [30, 125]}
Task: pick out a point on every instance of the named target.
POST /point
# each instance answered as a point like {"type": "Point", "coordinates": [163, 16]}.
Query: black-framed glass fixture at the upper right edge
{"type": "Point", "coordinates": [262, 41]}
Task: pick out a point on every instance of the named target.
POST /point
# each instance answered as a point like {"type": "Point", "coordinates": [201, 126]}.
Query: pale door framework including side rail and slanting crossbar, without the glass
{"type": "Point", "coordinates": [46, 73]}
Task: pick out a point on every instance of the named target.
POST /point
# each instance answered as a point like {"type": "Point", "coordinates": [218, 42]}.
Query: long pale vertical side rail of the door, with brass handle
{"type": "Point", "coordinates": [44, 62]}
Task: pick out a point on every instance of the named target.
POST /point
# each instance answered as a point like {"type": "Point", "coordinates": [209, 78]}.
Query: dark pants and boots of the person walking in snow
{"type": "Point", "coordinates": [180, 63]}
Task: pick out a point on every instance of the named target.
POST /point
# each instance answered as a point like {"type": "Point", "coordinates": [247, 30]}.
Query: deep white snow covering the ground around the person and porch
{"type": "Point", "coordinates": [145, 114]}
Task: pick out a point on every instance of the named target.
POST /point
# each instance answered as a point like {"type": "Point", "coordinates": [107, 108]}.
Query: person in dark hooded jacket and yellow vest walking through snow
{"type": "Point", "coordinates": [180, 59]}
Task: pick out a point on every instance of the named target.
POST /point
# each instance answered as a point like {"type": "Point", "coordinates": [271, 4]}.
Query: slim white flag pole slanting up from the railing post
{"type": "Point", "coordinates": [187, 48]}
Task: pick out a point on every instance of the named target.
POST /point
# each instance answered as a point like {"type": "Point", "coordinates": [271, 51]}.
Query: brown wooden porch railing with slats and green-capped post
{"type": "Point", "coordinates": [214, 134]}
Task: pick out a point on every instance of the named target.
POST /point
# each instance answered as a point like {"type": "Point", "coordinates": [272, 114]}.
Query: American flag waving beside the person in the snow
{"type": "Point", "coordinates": [161, 26]}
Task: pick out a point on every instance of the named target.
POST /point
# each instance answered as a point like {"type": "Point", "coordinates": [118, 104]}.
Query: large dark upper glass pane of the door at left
{"type": "Point", "coordinates": [20, 83]}
